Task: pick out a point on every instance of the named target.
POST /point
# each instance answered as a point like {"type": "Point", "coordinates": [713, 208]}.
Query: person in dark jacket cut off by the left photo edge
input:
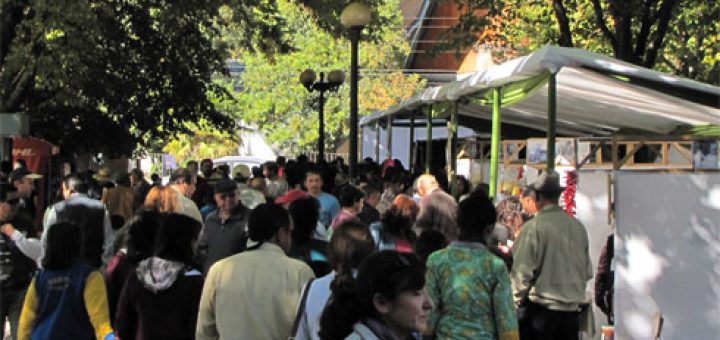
{"type": "Point", "coordinates": [16, 267]}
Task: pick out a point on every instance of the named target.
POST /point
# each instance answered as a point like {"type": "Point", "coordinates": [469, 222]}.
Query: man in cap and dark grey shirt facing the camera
{"type": "Point", "coordinates": [225, 229]}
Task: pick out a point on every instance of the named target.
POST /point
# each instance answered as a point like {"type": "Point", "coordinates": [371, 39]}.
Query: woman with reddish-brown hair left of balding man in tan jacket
{"type": "Point", "coordinates": [394, 231]}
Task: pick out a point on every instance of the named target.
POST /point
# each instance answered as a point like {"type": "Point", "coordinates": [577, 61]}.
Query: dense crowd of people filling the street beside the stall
{"type": "Point", "coordinates": [290, 250]}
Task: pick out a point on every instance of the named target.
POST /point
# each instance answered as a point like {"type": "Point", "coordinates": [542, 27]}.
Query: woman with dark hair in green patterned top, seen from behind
{"type": "Point", "coordinates": [470, 287]}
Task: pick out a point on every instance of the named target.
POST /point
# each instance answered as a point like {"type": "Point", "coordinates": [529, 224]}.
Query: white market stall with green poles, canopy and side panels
{"type": "Point", "coordinates": [606, 106]}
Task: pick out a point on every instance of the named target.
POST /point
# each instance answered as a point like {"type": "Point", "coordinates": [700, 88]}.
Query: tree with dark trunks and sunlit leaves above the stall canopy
{"type": "Point", "coordinates": [637, 31]}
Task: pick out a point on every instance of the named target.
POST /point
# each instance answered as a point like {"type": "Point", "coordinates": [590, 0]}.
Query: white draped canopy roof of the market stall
{"type": "Point", "coordinates": [596, 96]}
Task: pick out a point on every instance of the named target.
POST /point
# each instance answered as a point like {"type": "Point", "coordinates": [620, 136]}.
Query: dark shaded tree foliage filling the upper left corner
{"type": "Point", "coordinates": [108, 75]}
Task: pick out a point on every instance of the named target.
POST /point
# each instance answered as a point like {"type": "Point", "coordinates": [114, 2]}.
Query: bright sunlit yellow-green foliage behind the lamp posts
{"type": "Point", "coordinates": [275, 101]}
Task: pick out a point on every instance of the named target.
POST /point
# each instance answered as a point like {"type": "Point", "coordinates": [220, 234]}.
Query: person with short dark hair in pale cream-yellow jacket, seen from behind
{"type": "Point", "coordinates": [254, 294]}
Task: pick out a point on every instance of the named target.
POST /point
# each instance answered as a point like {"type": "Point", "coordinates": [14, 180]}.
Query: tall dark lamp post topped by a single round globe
{"type": "Point", "coordinates": [354, 17]}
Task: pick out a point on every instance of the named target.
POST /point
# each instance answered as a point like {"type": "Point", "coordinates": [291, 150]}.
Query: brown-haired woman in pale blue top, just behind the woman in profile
{"type": "Point", "coordinates": [349, 246]}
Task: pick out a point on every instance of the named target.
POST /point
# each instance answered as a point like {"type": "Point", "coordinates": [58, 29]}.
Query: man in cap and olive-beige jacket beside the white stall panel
{"type": "Point", "coordinates": [551, 267]}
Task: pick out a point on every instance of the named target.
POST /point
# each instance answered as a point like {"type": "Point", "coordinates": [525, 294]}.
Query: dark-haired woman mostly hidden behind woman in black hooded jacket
{"type": "Point", "coordinates": [139, 238]}
